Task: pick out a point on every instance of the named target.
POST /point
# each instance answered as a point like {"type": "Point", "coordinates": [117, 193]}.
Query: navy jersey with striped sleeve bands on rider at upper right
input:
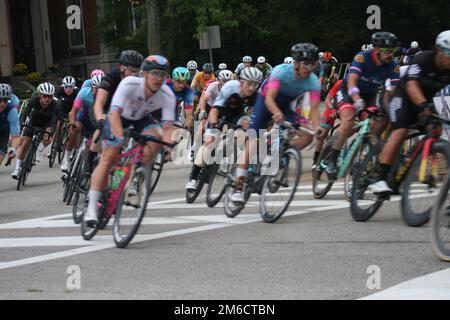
{"type": "Point", "coordinates": [372, 75]}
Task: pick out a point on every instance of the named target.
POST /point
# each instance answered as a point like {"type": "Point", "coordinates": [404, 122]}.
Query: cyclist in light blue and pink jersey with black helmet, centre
{"type": "Point", "coordinates": [277, 100]}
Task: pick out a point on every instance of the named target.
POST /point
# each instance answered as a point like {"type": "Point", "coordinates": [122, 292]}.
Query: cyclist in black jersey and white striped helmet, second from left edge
{"type": "Point", "coordinates": [42, 111]}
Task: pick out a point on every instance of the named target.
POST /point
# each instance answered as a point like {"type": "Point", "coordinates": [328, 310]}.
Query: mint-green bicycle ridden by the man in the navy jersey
{"type": "Point", "coordinates": [349, 158]}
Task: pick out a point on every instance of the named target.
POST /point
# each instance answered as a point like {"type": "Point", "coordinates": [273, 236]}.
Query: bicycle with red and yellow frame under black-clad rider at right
{"type": "Point", "coordinates": [412, 169]}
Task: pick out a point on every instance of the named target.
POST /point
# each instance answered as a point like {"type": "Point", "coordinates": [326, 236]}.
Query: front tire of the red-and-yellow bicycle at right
{"type": "Point", "coordinates": [411, 218]}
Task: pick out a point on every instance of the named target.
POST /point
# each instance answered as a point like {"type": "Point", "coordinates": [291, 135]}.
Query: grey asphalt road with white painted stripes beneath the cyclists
{"type": "Point", "coordinates": [183, 251]}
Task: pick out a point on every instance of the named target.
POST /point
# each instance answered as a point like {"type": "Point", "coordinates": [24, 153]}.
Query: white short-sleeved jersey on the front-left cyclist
{"type": "Point", "coordinates": [129, 98]}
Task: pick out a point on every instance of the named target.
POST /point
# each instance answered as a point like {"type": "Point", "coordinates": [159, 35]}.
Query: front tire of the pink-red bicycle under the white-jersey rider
{"type": "Point", "coordinates": [123, 241]}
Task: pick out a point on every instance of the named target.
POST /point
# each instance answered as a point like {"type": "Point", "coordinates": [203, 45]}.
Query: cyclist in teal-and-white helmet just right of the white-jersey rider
{"type": "Point", "coordinates": [183, 93]}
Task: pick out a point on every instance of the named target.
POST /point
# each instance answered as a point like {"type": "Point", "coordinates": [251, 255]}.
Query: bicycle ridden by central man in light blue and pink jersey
{"type": "Point", "coordinates": [267, 186]}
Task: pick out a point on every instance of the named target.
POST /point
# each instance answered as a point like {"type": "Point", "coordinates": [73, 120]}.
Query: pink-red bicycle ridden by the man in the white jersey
{"type": "Point", "coordinates": [117, 195]}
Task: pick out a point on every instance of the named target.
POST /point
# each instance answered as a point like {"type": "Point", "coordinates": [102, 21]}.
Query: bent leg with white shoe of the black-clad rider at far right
{"type": "Point", "coordinates": [402, 118]}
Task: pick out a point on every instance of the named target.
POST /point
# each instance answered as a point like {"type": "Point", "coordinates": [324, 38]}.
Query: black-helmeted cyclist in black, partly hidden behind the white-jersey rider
{"type": "Point", "coordinates": [129, 65]}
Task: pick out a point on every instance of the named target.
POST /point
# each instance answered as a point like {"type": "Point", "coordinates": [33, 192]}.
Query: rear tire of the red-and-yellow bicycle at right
{"type": "Point", "coordinates": [361, 181]}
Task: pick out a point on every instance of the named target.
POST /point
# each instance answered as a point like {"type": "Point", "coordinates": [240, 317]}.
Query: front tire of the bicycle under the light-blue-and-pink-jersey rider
{"type": "Point", "coordinates": [271, 218]}
